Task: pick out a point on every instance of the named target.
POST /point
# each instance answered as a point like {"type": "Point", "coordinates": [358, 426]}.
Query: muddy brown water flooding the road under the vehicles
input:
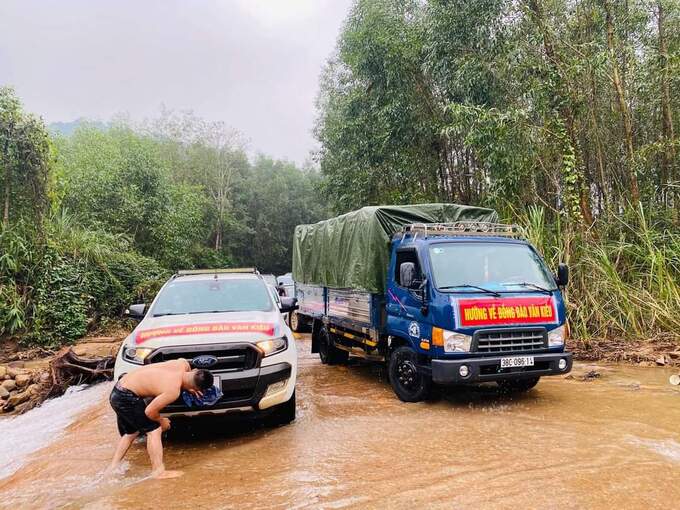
{"type": "Point", "coordinates": [612, 442]}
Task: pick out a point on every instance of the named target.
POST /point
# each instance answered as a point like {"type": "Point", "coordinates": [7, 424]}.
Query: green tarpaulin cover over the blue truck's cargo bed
{"type": "Point", "coordinates": [352, 250]}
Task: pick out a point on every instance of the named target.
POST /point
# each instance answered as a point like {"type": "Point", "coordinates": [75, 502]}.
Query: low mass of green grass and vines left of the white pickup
{"type": "Point", "coordinates": [61, 280]}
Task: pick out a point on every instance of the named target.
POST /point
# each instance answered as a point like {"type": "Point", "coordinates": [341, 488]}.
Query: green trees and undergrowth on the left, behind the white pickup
{"type": "Point", "coordinates": [96, 220]}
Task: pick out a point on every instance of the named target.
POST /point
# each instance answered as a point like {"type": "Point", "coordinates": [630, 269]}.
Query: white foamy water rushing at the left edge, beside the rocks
{"type": "Point", "coordinates": [24, 434]}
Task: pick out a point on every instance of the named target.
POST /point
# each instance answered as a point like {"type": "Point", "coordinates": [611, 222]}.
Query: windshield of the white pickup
{"type": "Point", "coordinates": [213, 296]}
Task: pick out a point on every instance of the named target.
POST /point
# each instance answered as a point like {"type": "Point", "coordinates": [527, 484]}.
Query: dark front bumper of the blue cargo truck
{"type": "Point", "coordinates": [485, 369]}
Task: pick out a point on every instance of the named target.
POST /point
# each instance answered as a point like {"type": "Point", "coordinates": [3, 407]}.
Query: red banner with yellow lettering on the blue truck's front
{"type": "Point", "coordinates": [506, 311]}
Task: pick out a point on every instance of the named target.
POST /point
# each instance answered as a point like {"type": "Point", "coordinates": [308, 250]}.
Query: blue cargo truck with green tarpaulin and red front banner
{"type": "Point", "coordinates": [440, 293]}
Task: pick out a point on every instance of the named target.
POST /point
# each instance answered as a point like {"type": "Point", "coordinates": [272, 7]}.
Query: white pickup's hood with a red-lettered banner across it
{"type": "Point", "coordinates": [170, 330]}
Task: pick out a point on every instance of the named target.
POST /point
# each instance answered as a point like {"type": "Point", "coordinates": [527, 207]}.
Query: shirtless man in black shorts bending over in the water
{"type": "Point", "coordinates": [163, 382]}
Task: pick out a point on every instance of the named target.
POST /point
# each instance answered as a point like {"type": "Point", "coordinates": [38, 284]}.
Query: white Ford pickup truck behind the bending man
{"type": "Point", "coordinates": [225, 321]}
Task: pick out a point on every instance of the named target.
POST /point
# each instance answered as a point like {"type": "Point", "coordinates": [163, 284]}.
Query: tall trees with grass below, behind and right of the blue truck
{"type": "Point", "coordinates": [557, 113]}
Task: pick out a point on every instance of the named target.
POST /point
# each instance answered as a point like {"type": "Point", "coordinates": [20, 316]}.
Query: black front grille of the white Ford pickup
{"type": "Point", "coordinates": [230, 357]}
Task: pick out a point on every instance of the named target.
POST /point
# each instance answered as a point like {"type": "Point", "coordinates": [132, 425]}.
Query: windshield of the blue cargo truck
{"type": "Point", "coordinates": [502, 267]}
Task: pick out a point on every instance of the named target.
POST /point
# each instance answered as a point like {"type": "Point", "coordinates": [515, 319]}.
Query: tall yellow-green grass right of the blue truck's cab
{"type": "Point", "coordinates": [625, 274]}
